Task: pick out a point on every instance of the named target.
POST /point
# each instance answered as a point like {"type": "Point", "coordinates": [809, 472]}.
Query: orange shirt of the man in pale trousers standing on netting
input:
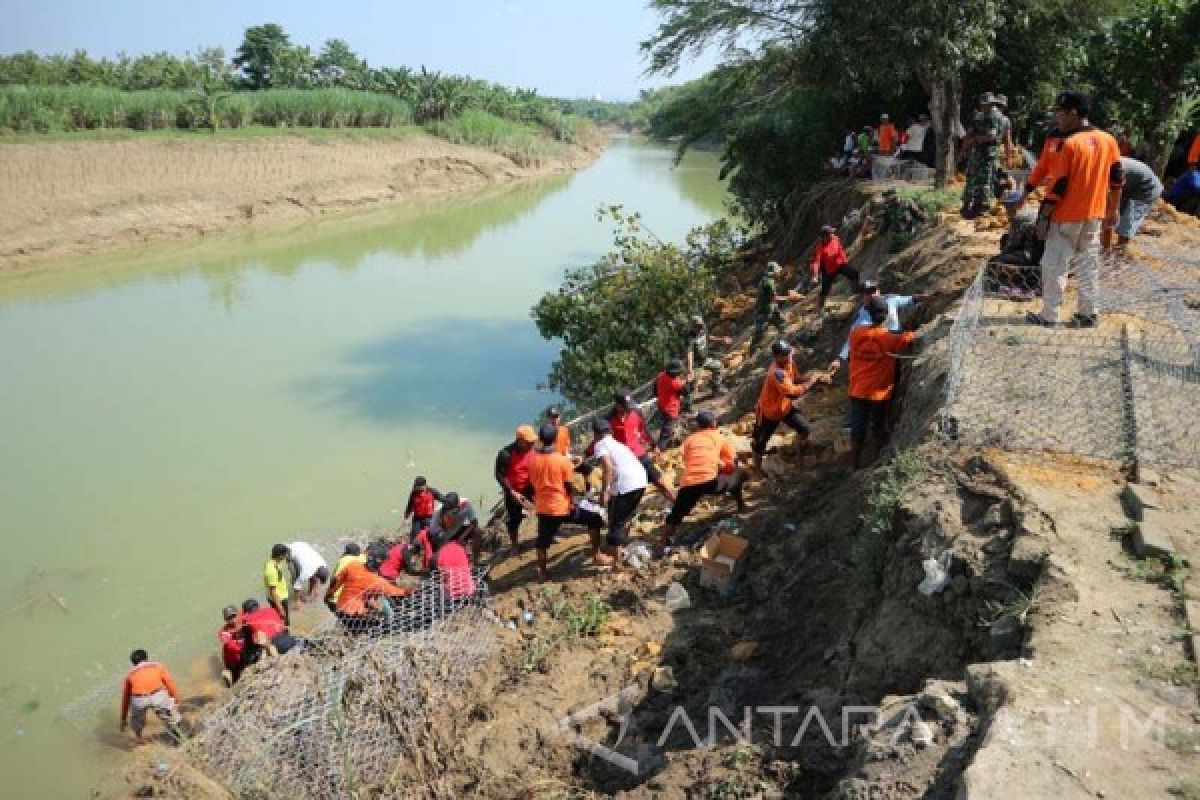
{"type": "Point", "coordinates": [1089, 165]}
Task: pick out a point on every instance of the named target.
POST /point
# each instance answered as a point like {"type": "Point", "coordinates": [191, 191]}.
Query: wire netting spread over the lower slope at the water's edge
{"type": "Point", "coordinates": [351, 714]}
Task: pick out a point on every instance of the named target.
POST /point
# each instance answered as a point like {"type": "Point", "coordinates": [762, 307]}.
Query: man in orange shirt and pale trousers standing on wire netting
{"type": "Point", "coordinates": [1084, 197]}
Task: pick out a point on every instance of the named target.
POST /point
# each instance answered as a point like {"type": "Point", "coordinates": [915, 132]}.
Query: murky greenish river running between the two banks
{"type": "Point", "coordinates": [170, 414]}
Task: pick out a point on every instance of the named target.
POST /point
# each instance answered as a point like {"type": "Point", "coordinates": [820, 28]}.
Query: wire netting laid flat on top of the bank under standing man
{"type": "Point", "coordinates": [1126, 390]}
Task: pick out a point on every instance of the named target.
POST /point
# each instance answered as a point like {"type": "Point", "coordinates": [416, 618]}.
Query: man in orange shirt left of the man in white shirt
{"type": "Point", "coordinates": [550, 473]}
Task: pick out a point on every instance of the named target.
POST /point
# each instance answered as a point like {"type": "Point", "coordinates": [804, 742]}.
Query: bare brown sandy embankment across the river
{"type": "Point", "coordinates": [77, 199]}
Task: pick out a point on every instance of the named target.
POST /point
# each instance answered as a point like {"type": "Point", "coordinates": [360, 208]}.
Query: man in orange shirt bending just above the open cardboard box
{"type": "Point", "coordinates": [710, 467]}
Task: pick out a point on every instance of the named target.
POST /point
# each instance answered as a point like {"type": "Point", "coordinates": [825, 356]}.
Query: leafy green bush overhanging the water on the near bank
{"type": "Point", "coordinates": [621, 320]}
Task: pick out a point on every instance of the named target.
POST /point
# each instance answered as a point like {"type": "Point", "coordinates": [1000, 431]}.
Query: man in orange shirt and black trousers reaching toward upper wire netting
{"type": "Point", "coordinates": [873, 376]}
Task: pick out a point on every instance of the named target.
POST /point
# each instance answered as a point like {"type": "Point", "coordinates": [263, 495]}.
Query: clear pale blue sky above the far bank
{"type": "Point", "coordinates": [567, 49]}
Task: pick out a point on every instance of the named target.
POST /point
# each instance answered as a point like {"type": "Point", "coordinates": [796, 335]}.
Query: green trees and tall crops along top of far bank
{"type": "Point", "coordinates": [273, 83]}
